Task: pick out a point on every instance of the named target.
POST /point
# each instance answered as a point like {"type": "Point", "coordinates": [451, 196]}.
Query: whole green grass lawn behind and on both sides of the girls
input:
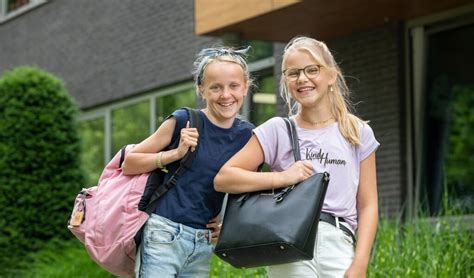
{"type": "Point", "coordinates": [422, 248]}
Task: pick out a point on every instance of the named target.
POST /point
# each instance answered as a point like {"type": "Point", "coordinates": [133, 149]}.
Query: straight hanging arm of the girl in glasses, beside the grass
{"type": "Point", "coordinates": [367, 211]}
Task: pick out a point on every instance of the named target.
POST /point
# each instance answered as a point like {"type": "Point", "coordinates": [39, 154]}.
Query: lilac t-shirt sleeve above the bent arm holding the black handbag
{"type": "Point", "coordinates": [268, 137]}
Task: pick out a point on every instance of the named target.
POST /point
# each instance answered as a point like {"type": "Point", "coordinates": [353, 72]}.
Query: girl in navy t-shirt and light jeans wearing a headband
{"type": "Point", "coordinates": [177, 237]}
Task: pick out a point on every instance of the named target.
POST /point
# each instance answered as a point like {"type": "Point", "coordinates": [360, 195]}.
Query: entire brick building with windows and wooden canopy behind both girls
{"type": "Point", "coordinates": [128, 64]}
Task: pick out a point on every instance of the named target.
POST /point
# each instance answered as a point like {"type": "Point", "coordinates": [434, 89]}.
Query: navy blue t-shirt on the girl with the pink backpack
{"type": "Point", "coordinates": [193, 201]}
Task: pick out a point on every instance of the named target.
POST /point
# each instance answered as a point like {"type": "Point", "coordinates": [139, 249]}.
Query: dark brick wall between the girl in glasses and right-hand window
{"type": "Point", "coordinates": [372, 62]}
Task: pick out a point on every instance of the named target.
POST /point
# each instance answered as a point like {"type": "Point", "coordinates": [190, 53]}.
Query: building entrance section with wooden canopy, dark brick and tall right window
{"type": "Point", "coordinates": [407, 63]}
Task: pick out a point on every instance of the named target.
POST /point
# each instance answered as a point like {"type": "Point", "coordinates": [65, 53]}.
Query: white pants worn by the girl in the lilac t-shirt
{"type": "Point", "coordinates": [333, 254]}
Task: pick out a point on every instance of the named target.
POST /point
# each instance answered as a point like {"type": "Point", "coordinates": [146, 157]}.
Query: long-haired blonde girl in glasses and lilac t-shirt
{"type": "Point", "coordinates": [331, 139]}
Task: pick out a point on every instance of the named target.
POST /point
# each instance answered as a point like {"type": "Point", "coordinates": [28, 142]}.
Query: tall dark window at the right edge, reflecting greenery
{"type": "Point", "coordinates": [448, 148]}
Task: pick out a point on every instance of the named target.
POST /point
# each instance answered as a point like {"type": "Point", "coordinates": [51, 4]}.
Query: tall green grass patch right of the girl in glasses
{"type": "Point", "coordinates": [423, 248]}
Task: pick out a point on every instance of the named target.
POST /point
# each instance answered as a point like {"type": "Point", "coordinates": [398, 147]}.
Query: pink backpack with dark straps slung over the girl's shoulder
{"type": "Point", "coordinates": [108, 218]}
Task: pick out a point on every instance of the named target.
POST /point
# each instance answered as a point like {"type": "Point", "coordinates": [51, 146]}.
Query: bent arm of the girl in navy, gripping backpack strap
{"type": "Point", "coordinates": [143, 157]}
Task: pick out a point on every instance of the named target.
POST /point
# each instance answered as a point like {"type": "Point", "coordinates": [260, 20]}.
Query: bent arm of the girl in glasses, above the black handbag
{"type": "Point", "coordinates": [238, 174]}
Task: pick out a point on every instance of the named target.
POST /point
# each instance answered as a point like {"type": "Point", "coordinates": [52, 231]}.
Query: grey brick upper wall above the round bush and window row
{"type": "Point", "coordinates": [106, 50]}
